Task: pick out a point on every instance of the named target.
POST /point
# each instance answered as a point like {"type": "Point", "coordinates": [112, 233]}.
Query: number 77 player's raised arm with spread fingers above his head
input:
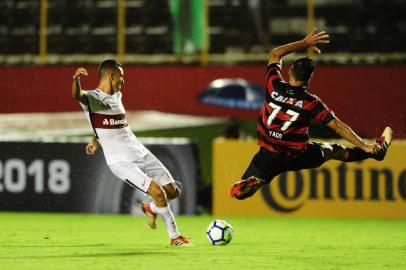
{"type": "Point", "coordinates": [311, 41]}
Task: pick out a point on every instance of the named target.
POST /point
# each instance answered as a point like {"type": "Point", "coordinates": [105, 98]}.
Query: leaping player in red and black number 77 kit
{"type": "Point", "coordinates": [284, 121]}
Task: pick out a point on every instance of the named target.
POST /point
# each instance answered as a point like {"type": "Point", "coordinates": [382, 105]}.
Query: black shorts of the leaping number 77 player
{"type": "Point", "coordinates": [266, 164]}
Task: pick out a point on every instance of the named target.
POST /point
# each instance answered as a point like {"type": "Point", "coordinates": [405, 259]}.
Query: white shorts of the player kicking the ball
{"type": "Point", "coordinates": [140, 173]}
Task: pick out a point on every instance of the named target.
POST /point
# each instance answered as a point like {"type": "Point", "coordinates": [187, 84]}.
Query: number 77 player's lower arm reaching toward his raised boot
{"type": "Point", "coordinates": [347, 133]}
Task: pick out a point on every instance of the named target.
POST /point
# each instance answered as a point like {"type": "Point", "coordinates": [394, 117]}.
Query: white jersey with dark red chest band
{"type": "Point", "coordinates": [106, 115]}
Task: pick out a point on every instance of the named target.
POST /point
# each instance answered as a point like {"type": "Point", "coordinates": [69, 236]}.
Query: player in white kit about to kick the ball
{"type": "Point", "coordinates": [126, 157]}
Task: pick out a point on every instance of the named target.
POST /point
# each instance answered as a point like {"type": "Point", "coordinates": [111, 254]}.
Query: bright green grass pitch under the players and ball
{"type": "Point", "coordinates": [73, 241]}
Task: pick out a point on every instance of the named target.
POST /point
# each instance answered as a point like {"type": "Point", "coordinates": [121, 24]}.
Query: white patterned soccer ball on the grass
{"type": "Point", "coordinates": [219, 232]}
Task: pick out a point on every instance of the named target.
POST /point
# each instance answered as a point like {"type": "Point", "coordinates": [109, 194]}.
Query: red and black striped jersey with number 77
{"type": "Point", "coordinates": [283, 123]}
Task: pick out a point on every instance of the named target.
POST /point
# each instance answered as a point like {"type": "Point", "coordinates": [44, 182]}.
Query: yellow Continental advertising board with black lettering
{"type": "Point", "coordinates": [366, 189]}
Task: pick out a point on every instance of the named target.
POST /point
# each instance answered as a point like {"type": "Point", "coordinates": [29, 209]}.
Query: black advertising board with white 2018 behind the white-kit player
{"type": "Point", "coordinates": [60, 177]}
